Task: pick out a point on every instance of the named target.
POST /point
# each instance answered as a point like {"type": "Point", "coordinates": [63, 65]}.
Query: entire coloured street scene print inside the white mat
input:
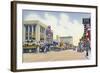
{"type": "Point", "coordinates": [55, 36]}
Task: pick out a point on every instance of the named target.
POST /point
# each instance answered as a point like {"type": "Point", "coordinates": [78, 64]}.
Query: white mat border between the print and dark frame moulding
{"type": "Point", "coordinates": [34, 65]}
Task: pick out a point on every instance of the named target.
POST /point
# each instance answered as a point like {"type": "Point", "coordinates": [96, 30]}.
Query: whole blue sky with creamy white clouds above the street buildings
{"type": "Point", "coordinates": [62, 23]}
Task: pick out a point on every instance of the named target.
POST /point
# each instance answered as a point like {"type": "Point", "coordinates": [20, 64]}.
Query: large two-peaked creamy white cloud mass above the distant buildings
{"type": "Point", "coordinates": [65, 27]}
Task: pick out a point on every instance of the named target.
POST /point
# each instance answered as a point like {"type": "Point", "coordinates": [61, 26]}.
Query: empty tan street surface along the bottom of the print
{"type": "Point", "coordinates": [53, 56]}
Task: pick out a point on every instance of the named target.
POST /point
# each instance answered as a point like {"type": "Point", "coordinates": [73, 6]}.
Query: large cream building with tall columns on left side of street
{"type": "Point", "coordinates": [34, 31]}
